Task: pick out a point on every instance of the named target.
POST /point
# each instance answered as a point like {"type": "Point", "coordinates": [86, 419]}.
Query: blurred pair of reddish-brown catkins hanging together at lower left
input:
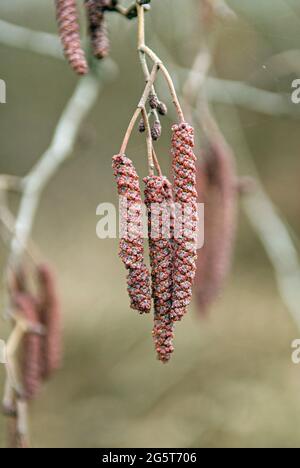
{"type": "Point", "coordinates": [42, 342]}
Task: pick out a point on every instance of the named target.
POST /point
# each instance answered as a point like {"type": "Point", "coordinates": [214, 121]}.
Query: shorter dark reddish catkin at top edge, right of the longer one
{"type": "Point", "coordinates": [97, 27]}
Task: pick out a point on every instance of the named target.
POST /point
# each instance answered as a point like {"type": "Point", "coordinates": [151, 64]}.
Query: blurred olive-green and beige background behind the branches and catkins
{"type": "Point", "coordinates": [231, 382]}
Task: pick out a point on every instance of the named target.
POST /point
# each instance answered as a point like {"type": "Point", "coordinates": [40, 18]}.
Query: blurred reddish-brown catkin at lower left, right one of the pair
{"type": "Point", "coordinates": [50, 318]}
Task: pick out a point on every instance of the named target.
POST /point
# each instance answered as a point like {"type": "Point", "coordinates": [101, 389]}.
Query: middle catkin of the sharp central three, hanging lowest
{"type": "Point", "coordinates": [159, 202]}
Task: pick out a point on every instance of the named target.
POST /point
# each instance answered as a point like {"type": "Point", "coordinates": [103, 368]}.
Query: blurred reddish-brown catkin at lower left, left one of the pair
{"type": "Point", "coordinates": [31, 352]}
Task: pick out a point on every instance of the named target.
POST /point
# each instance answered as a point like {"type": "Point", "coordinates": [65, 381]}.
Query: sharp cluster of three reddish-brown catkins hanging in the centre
{"type": "Point", "coordinates": [172, 234]}
